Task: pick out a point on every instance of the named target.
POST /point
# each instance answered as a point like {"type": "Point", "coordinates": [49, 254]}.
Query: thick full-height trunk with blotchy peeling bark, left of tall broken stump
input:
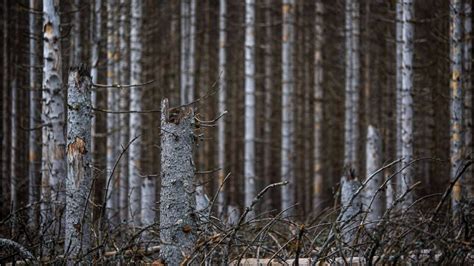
{"type": "Point", "coordinates": [53, 115]}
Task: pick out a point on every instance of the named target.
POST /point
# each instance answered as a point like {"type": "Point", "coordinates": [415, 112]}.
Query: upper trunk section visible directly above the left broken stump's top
{"type": "Point", "coordinates": [76, 41]}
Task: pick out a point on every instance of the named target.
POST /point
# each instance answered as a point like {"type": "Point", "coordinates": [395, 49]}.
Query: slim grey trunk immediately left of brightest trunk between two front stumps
{"type": "Point", "coordinates": [124, 105]}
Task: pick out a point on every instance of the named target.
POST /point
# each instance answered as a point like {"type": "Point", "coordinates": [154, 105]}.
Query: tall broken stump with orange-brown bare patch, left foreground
{"type": "Point", "coordinates": [79, 180]}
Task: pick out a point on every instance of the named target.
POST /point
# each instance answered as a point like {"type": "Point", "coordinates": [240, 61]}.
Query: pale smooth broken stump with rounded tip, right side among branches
{"type": "Point", "coordinates": [373, 198]}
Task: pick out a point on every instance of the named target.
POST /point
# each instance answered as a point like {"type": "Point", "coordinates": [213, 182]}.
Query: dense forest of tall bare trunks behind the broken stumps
{"type": "Point", "coordinates": [280, 91]}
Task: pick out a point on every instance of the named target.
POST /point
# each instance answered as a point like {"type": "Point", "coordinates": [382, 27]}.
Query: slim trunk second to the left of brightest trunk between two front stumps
{"type": "Point", "coordinates": [112, 141]}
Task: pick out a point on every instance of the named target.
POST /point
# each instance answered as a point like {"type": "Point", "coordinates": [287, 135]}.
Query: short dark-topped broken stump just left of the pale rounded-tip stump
{"type": "Point", "coordinates": [351, 205]}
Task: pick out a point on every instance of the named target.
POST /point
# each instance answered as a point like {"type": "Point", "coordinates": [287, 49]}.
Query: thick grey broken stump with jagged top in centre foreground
{"type": "Point", "coordinates": [177, 208]}
